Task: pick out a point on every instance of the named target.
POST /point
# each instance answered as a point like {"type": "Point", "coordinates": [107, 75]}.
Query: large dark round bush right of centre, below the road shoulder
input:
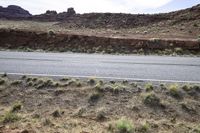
{"type": "Point", "coordinates": [151, 99]}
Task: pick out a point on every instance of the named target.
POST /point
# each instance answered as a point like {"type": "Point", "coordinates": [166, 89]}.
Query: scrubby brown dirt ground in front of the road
{"type": "Point", "coordinates": [38, 105]}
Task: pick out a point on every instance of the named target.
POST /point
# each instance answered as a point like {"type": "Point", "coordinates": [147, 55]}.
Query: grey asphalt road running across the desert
{"type": "Point", "coordinates": [146, 68]}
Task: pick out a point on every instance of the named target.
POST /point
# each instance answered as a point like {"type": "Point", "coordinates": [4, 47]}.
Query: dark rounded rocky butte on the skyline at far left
{"type": "Point", "coordinates": [13, 11]}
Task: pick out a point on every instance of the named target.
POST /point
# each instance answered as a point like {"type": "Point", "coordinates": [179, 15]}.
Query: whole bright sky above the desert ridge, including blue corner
{"type": "Point", "coordinates": [114, 6]}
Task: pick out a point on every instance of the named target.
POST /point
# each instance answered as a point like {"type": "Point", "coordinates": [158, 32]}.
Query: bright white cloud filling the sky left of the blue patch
{"type": "Point", "coordinates": [84, 6]}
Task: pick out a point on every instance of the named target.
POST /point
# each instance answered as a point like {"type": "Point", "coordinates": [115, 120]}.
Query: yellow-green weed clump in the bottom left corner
{"type": "Point", "coordinates": [10, 117]}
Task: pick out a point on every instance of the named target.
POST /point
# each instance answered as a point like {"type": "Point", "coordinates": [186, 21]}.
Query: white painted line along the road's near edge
{"type": "Point", "coordinates": [108, 78]}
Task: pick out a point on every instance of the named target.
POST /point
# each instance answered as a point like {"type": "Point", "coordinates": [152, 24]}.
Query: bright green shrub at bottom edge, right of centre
{"type": "Point", "coordinates": [124, 126]}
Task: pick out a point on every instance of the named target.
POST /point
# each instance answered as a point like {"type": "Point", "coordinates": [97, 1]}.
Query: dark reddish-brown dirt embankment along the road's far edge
{"type": "Point", "coordinates": [18, 39]}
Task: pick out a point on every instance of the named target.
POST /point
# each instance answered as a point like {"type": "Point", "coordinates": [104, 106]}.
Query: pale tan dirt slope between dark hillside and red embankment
{"type": "Point", "coordinates": [163, 30]}
